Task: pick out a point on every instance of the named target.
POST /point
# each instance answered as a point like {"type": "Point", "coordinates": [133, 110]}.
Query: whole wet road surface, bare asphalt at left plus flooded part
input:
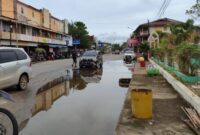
{"type": "Point", "coordinates": [91, 103]}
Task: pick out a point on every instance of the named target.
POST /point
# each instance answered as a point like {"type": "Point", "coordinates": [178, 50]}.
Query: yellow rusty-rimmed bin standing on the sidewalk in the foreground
{"type": "Point", "coordinates": [141, 103]}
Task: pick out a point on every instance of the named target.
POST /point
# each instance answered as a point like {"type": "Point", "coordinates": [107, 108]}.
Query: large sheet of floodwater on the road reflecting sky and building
{"type": "Point", "coordinates": [89, 104]}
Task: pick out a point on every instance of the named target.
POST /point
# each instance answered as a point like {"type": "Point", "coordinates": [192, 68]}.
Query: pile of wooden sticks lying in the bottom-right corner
{"type": "Point", "coordinates": [194, 119]}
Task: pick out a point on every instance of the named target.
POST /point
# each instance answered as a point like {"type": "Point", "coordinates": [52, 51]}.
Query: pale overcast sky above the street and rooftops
{"type": "Point", "coordinates": [112, 20]}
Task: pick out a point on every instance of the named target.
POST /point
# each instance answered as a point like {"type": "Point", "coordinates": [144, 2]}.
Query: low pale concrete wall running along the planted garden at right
{"type": "Point", "coordinates": [184, 91]}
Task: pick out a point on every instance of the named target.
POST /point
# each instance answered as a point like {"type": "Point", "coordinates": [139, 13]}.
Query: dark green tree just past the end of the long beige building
{"type": "Point", "coordinates": [78, 30]}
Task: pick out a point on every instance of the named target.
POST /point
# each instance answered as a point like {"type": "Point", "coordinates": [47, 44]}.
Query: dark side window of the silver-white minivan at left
{"type": "Point", "coordinates": [7, 56]}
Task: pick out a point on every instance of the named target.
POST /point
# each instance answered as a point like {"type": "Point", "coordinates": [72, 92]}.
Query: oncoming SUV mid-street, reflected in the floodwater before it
{"type": "Point", "coordinates": [91, 58]}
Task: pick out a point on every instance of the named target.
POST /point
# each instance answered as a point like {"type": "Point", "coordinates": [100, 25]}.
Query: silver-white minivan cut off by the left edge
{"type": "Point", "coordinates": [15, 68]}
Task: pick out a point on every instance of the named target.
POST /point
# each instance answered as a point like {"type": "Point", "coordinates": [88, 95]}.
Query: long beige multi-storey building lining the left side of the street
{"type": "Point", "coordinates": [23, 25]}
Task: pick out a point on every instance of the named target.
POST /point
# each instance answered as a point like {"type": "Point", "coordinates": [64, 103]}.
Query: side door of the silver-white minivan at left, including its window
{"type": "Point", "coordinates": [9, 67]}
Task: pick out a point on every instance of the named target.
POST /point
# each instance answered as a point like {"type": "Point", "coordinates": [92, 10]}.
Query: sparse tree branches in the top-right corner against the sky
{"type": "Point", "coordinates": [194, 11]}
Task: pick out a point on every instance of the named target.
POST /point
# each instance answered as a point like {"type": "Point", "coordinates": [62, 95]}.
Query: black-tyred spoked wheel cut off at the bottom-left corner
{"type": "Point", "coordinates": [12, 119]}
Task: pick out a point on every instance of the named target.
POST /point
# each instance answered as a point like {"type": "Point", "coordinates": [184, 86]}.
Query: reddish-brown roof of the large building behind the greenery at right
{"type": "Point", "coordinates": [159, 22]}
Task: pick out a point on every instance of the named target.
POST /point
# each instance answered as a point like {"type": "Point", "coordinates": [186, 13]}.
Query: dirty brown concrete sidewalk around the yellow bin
{"type": "Point", "coordinates": [167, 113]}
